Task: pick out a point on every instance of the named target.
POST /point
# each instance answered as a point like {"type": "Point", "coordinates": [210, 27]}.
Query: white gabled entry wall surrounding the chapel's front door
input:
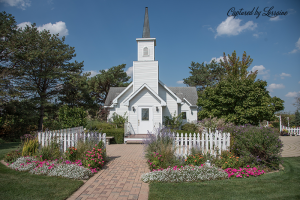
{"type": "Point", "coordinates": [144, 98]}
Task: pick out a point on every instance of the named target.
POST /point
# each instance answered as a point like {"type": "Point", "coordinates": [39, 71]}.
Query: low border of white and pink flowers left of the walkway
{"type": "Point", "coordinates": [63, 168]}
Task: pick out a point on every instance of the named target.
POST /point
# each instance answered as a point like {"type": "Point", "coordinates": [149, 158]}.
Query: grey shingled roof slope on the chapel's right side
{"type": "Point", "coordinates": [188, 94]}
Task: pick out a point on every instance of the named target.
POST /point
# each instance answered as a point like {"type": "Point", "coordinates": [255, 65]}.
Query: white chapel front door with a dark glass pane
{"type": "Point", "coordinates": [145, 120]}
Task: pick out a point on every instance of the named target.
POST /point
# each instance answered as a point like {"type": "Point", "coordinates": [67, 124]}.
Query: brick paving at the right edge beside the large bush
{"type": "Point", "coordinates": [291, 146]}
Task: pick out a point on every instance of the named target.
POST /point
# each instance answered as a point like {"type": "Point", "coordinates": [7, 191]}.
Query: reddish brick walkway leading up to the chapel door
{"type": "Point", "coordinates": [120, 178]}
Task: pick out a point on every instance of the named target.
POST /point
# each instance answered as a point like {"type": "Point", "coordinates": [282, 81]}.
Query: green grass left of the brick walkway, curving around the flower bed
{"type": "Point", "coordinates": [22, 185]}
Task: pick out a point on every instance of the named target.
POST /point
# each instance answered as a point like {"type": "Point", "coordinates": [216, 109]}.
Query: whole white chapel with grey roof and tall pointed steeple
{"type": "Point", "coordinates": [147, 99]}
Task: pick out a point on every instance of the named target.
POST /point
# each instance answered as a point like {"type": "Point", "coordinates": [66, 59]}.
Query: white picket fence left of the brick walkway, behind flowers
{"type": "Point", "coordinates": [69, 137]}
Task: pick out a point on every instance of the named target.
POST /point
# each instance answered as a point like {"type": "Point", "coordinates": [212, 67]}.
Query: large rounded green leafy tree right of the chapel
{"type": "Point", "coordinates": [238, 98]}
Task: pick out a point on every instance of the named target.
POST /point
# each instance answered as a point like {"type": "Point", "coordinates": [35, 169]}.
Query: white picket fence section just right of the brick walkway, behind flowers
{"type": "Point", "coordinates": [209, 141]}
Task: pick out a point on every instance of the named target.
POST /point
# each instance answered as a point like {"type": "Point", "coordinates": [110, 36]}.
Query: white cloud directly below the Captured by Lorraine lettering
{"type": "Point", "coordinates": [231, 26]}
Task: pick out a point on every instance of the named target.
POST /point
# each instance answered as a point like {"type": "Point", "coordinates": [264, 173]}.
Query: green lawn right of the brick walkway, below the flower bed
{"type": "Point", "coordinates": [280, 185]}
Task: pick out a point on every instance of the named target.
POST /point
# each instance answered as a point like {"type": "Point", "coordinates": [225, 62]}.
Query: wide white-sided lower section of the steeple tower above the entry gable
{"type": "Point", "coordinates": [145, 72]}
